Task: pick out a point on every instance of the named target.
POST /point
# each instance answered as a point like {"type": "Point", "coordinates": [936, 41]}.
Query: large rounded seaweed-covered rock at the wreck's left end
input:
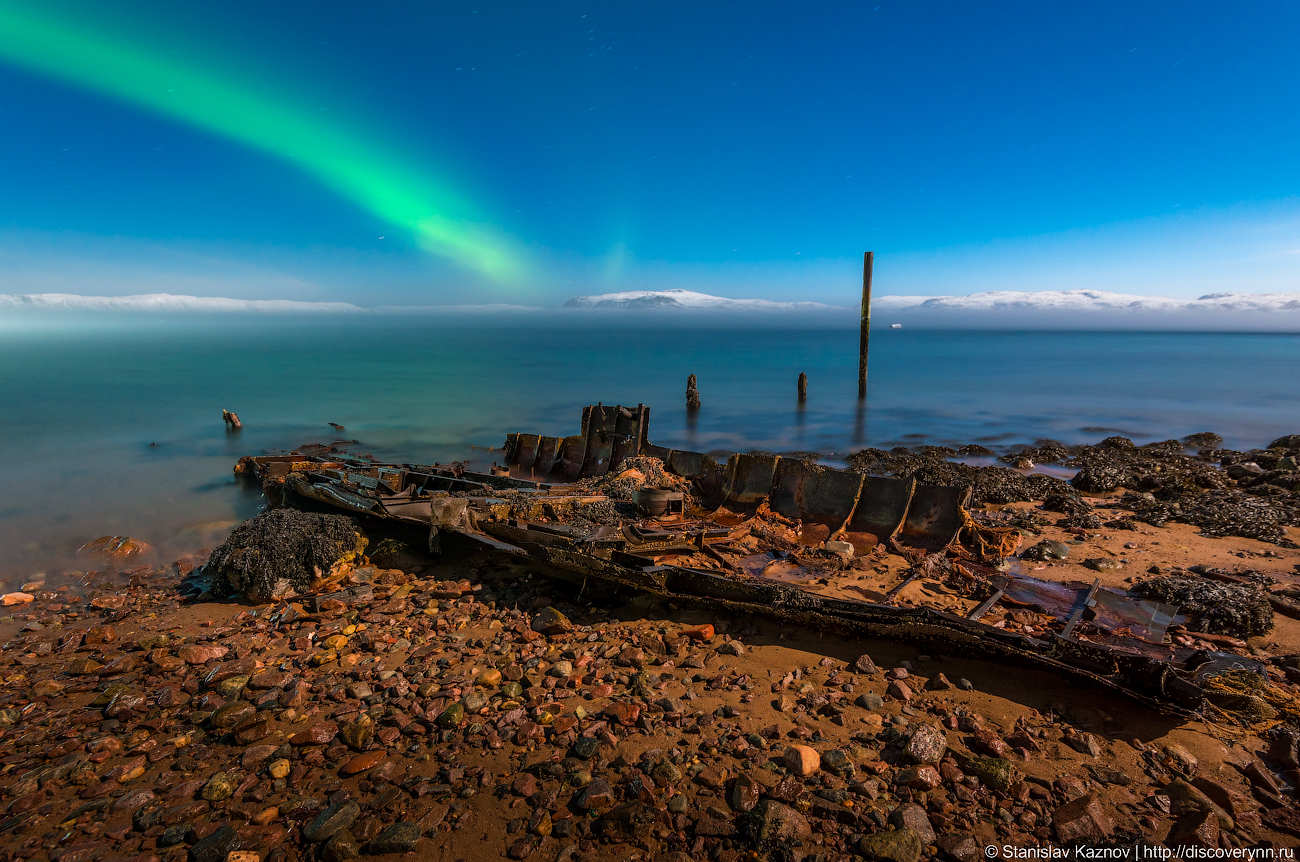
{"type": "Point", "coordinates": [284, 552]}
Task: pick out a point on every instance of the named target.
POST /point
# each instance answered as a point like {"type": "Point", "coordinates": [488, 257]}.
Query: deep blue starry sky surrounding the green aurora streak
{"type": "Point", "coordinates": [748, 150]}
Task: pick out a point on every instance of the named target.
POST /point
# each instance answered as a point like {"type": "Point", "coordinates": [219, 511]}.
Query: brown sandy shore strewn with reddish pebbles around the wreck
{"type": "Point", "coordinates": [144, 726]}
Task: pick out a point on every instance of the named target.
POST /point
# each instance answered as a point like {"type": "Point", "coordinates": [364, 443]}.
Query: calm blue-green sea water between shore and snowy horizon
{"type": "Point", "coordinates": [115, 428]}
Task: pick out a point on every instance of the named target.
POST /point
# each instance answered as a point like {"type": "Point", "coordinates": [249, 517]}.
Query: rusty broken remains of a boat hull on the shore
{"type": "Point", "coordinates": [766, 535]}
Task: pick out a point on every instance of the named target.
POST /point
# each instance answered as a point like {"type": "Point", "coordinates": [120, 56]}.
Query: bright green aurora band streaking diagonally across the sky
{"type": "Point", "coordinates": [354, 168]}
